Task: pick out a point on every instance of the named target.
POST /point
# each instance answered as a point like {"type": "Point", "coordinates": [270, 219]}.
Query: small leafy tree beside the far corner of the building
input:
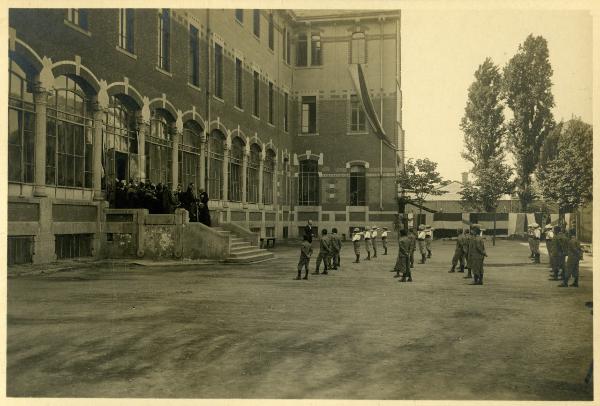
{"type": "Point", "coordinates": [421, 179]}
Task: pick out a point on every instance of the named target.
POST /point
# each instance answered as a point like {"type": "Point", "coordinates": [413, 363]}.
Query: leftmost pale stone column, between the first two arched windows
{"type": "Point", "coordinates": [40, 97]}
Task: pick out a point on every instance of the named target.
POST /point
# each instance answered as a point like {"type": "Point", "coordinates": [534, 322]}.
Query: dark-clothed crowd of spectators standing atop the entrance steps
{"type": "Point", "coordinates": [159, 199]}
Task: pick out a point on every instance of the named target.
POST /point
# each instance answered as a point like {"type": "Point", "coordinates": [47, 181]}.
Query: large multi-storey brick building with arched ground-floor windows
{"type": "Point", "coordinates": [281, 115]}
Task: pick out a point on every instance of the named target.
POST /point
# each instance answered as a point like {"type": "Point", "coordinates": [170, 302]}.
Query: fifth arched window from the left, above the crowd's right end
{"type": "Point", "coordinates": [189, 153]}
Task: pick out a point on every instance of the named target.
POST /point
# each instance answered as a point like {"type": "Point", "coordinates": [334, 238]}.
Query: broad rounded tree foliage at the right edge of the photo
{"type": "Point", "coordinates": [566, 178]}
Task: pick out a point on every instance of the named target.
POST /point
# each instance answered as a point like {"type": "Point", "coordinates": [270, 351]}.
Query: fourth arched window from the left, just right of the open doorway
{"type": "Point", "coordinates": [158, 148]}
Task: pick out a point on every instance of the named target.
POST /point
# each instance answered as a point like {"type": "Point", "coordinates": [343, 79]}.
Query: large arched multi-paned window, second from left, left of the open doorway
{"type": "Point", "coordinates": [69, 134]}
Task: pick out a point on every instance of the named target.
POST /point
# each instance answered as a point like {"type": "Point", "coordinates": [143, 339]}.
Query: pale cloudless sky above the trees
{"type": "Point", "coordinates": [441, 51]}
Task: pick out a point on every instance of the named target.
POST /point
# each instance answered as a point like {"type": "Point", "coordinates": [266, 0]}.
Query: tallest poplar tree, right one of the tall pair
{"type": "Point", "coordinates": [527, 91]}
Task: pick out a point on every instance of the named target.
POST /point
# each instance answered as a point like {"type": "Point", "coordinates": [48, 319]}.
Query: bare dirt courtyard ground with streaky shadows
{"type": "Point", "coordinates": [230, 331]}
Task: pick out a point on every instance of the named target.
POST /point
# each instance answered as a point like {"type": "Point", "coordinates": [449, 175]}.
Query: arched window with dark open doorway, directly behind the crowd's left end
{"type": "Point", "coordinates": [120, 141]}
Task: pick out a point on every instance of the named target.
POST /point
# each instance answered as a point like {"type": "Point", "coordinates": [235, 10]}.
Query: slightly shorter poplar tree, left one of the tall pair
{"type": "Point", "coordinates": [484, 130]}
